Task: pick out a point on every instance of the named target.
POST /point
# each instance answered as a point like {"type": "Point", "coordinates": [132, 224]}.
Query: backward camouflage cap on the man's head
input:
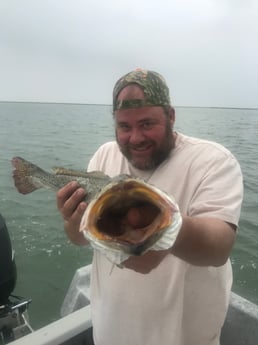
{"type": "Point", "coordinates": [153, 85]}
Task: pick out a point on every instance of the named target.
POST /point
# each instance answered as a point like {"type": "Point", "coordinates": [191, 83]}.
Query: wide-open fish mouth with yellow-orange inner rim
{"type": "Point", "coordinates": [128, 212]}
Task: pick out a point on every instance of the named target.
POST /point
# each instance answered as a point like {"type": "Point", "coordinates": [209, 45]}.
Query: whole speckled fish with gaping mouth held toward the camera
{"type": "Point", "coordinates": [112, 222]}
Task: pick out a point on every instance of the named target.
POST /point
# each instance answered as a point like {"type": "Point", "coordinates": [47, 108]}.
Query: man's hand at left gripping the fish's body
{"type": "Point", "coordinates": [71, 206]}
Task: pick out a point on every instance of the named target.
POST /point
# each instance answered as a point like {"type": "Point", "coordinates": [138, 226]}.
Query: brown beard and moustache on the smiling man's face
{"type": "Point", "coordinates": [159, 154]}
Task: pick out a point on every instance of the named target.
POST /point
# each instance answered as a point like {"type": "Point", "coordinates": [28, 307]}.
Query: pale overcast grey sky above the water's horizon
{"type": "Point", "coordinates": [73, 51]}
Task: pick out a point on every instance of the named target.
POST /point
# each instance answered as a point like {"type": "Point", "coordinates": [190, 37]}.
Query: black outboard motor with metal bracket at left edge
{"type": "Point", "coordinates": [13, 309]}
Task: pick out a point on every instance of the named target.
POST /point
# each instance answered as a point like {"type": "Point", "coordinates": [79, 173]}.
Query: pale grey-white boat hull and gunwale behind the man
{"type": "Point", "coordinates": [240, 327]}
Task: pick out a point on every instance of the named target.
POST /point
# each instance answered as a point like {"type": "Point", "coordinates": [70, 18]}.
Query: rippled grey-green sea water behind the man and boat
{"type": "Point", "coordinates": [67, 135]}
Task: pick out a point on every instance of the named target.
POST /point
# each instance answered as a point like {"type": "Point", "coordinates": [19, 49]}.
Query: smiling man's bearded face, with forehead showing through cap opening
{"type": "Point", "coordinates": [144, 134]}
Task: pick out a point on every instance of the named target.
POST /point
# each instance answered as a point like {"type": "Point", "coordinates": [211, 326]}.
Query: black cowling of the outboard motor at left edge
{"type": "Point", "coordinates": [7, 264]}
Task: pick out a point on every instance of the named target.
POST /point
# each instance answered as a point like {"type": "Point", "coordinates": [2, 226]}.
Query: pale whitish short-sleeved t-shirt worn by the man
{"type": "Point", "coordinates": [176, 303]}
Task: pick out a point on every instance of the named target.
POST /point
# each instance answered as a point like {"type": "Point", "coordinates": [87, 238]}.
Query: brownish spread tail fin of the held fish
{"type": "Point", "coordinates": [22, 175]}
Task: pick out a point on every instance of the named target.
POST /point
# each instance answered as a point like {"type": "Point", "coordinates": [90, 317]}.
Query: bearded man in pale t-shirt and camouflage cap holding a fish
{"type": "Point", "coordinates": [177, 296]}
